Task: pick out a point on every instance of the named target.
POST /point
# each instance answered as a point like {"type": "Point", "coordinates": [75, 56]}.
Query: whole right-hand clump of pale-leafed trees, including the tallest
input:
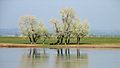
{"type": "Point", "coordinates": [69, 26]}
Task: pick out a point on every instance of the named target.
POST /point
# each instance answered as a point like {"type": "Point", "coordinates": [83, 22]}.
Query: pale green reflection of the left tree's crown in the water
{"type": "Point", "coordinates": [34, 62]}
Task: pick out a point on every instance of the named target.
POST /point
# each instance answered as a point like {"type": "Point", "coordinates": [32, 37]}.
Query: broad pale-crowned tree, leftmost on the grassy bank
{"type": "Point", "coordinates": [32, 28]}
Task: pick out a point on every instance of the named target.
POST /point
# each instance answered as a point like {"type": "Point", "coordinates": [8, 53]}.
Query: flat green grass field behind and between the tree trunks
{"type": "Point", "coordinates": [91, 40]}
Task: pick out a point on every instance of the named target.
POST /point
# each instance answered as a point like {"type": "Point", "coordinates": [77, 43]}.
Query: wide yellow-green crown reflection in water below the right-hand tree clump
{"type": "Point", "coordinates": [72, 62]}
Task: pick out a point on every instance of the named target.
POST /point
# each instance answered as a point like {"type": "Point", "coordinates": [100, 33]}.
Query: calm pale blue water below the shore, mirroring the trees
{"type": "Point", "coordinates": [89, 58]}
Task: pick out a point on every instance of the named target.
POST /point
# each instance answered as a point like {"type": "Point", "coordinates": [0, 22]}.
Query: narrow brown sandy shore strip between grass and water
{"type": "Point", "coordinates": [9, 45]}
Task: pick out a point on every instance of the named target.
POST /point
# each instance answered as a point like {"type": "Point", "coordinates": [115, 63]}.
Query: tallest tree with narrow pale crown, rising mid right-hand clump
{"type": "Point", "coordinates": [68, 16]}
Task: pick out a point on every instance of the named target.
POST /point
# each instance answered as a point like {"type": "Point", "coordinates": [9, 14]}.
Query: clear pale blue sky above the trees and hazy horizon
{"type": "Point", "coordinates": [101, 14]}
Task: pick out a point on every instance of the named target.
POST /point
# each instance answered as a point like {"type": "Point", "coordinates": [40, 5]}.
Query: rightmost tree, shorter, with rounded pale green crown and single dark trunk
{"type": "Point", "coordinates": [80, 30]}
